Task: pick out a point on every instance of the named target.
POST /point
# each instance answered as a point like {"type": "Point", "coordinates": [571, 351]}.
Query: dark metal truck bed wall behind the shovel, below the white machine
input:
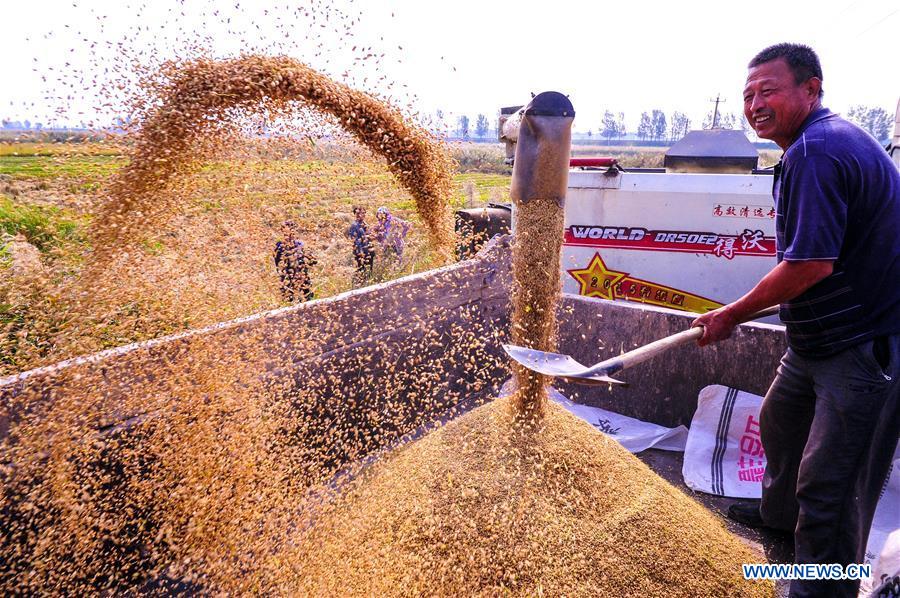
{"type": "Point", "coordinates": [663, 390]}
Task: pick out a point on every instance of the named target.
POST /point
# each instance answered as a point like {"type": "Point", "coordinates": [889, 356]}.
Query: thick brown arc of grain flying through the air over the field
{"type": "Point", "coordinates": [195, 97]}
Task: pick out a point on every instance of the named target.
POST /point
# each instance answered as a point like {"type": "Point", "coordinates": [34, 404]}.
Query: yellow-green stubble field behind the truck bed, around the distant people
{"type": "Point", "coordinates": [212, 260]}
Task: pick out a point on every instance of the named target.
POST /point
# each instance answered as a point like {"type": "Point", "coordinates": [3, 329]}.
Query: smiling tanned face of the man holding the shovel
{"type": "Point", "coordinates": [774, 104]}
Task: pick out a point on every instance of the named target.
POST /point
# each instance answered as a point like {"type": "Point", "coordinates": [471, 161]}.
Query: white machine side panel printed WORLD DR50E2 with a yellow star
{"type": "Point", "coordinates": [690, 242]}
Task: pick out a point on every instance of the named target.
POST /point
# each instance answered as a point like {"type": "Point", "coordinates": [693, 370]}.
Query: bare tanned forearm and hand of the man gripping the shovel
{"type": "Point", "coordinates": [786, 281]}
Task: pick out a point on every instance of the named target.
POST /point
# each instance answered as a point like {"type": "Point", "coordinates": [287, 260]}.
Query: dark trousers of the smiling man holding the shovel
{"type": "Point", "coordinates": [829, 429]}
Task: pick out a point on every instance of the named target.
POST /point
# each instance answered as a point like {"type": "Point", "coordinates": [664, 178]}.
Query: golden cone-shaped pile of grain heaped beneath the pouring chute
{"type": "Point", "coordinates": [477, 508]}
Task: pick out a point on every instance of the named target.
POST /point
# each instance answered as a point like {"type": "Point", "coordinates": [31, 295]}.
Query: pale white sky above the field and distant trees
{"type": "Point", "coordinates": [463, 57]}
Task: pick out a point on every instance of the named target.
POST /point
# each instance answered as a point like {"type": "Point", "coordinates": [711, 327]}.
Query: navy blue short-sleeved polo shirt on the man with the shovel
{"type": "Point", "coordinates": [837, 197]}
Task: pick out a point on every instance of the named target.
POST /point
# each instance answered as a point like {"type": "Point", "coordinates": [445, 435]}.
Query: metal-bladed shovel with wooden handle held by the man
{"type": "Point", "coordinates": [564, 366]}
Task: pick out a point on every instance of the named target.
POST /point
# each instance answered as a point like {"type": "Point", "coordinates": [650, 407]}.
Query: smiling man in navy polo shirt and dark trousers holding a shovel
{"type": "Point", "coordinates": [831, 418]}
